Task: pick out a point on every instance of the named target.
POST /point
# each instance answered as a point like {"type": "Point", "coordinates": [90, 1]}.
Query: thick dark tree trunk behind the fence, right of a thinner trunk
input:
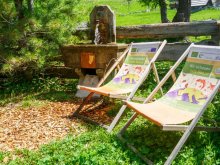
{"type": "Point", "coordinates": [183, 11]}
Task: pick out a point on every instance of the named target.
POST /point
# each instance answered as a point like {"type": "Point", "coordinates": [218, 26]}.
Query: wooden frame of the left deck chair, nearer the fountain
{"type": "Point", "coordinates": [132, 93]}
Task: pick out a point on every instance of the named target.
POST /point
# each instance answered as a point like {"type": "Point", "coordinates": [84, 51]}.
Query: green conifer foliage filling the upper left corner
{"type": "Point", "coordinates": [28, 42]}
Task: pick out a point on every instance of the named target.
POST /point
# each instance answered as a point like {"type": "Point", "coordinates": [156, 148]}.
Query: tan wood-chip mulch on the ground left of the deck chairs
{"type": "Point", "coordinates": [31, 127]}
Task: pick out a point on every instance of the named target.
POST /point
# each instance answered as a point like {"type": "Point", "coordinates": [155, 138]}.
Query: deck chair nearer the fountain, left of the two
{"type": "Point", "coordinates": [135, 69]}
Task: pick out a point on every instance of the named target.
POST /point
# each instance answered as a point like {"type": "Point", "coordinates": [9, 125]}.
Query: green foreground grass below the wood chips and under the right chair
{"type": "Point", "coordinates": [97, 146]}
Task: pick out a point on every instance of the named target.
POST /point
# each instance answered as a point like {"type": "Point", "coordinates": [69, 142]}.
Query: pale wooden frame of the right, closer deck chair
{"type": "Point", "coordinates": [186, 128]}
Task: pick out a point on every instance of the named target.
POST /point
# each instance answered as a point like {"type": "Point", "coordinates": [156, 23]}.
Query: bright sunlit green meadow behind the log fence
{"type": "Point", "coordinates": [135, 14]}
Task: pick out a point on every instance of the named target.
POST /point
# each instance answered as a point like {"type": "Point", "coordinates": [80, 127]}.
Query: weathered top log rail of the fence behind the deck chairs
{"type": "Point", "coordinates": [166, 30]}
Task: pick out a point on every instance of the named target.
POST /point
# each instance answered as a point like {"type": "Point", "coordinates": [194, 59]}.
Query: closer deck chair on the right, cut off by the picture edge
{"type": "Point", "coordinates": [186, 100]}
